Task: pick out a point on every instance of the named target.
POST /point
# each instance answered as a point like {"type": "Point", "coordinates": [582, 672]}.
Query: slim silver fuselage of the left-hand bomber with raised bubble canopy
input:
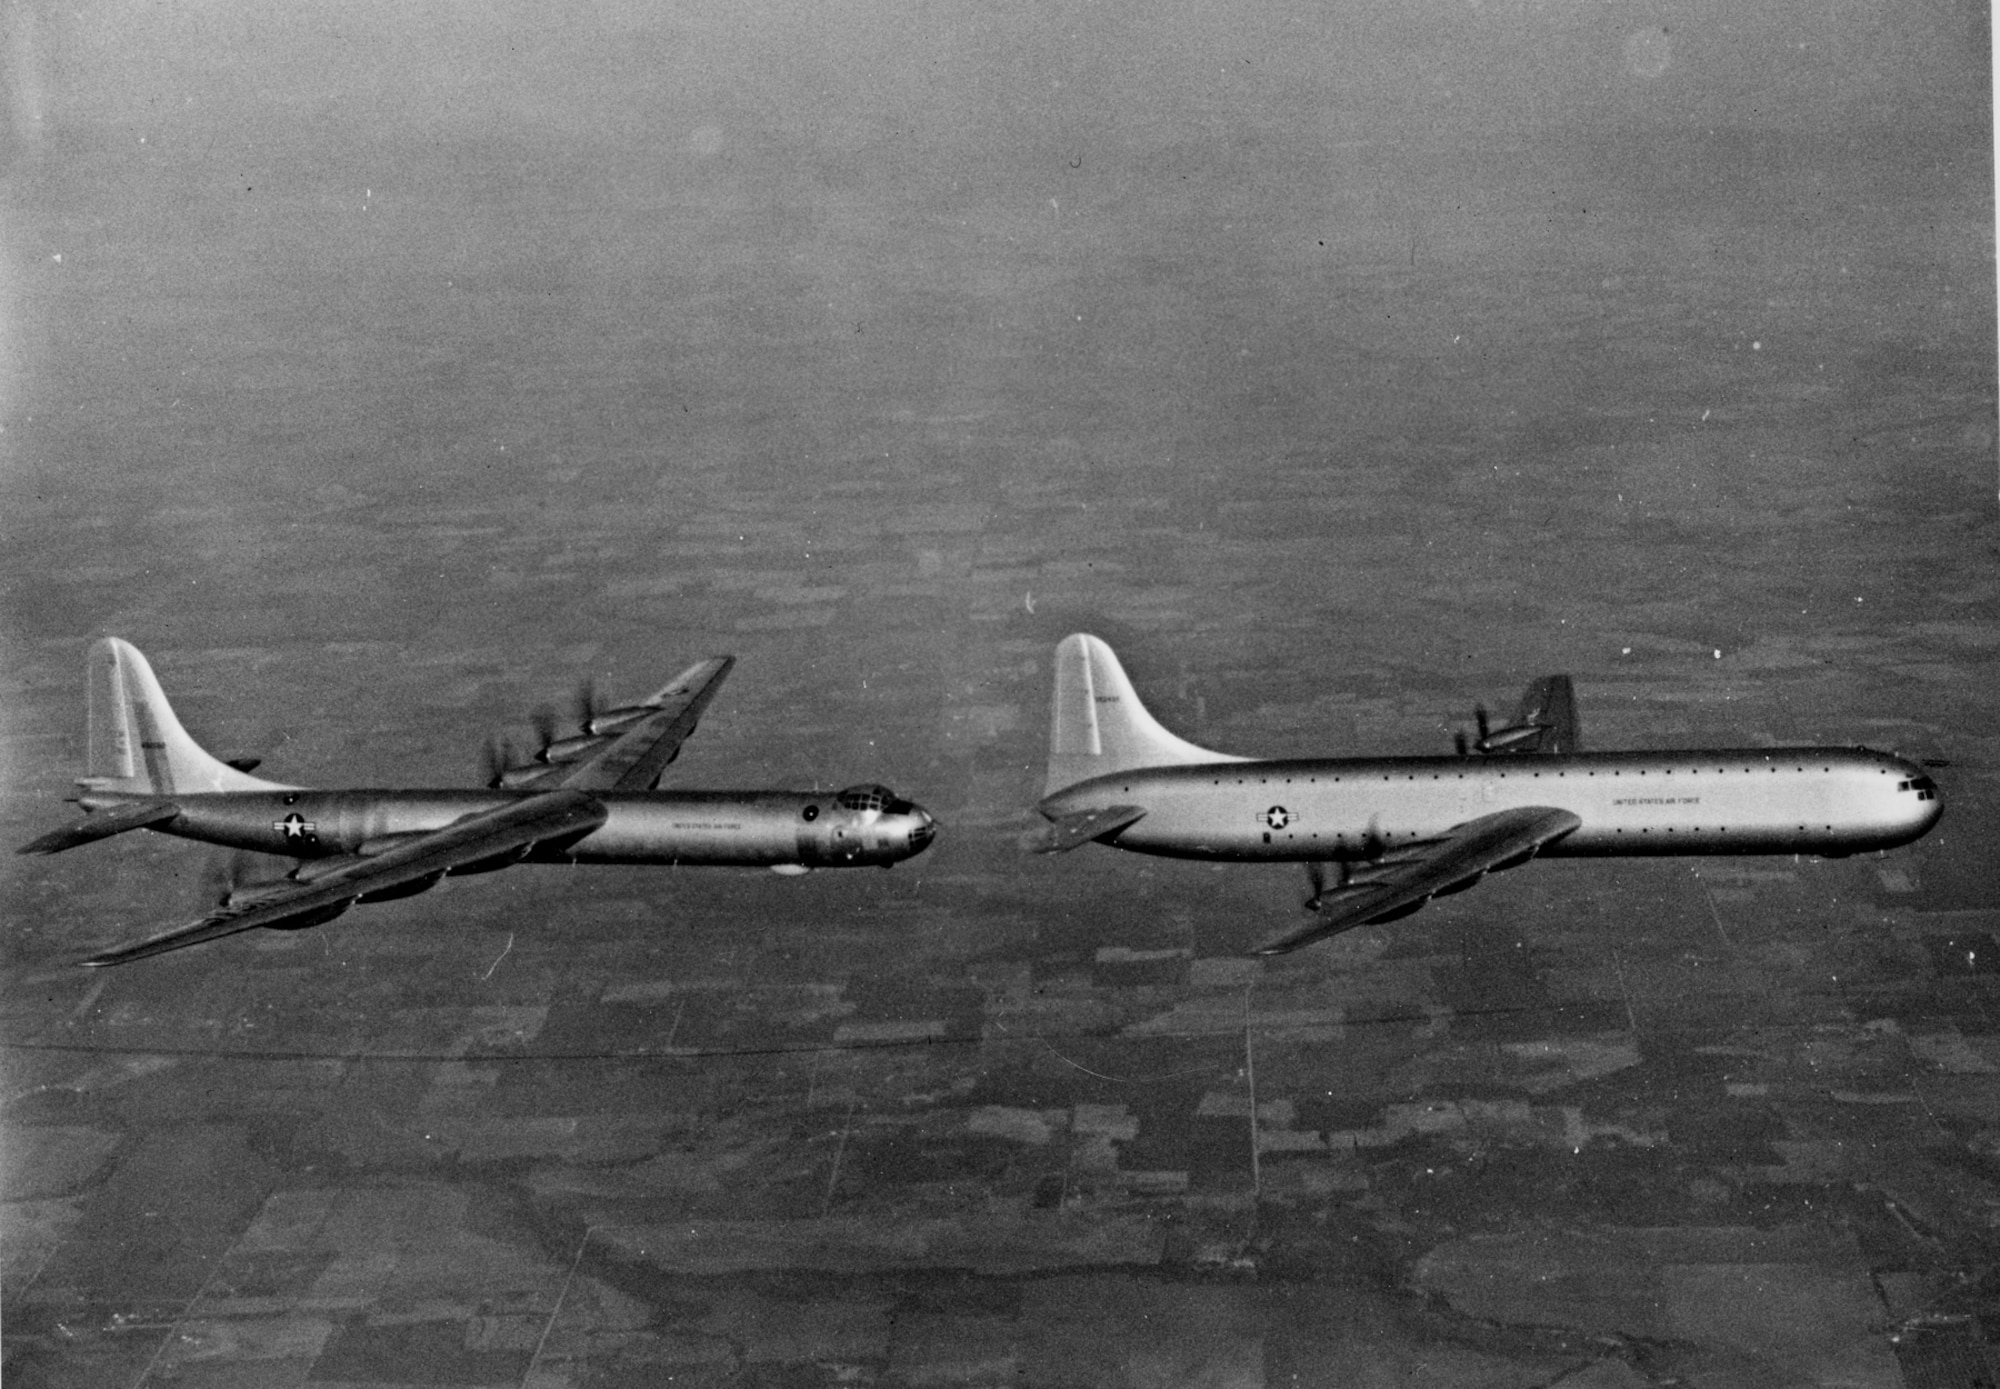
{"type": "Point", "coordinates": [775, 830]}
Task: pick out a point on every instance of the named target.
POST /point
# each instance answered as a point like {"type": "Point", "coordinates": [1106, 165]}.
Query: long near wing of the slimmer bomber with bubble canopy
{"type": "Point", "coordinates": [493, 834]}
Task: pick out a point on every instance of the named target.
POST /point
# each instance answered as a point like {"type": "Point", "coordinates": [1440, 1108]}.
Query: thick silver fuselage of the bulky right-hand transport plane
{"type": "Point", "coordinates": [1715, 802]}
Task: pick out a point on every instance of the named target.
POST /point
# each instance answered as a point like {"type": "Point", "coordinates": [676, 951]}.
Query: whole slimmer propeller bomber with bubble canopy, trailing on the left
{"type": "Point", "coordinates": [589, 798]}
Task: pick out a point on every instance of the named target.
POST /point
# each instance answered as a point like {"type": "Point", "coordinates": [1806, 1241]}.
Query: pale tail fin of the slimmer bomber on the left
{"type": "Point", "coordinates": [137, 744]}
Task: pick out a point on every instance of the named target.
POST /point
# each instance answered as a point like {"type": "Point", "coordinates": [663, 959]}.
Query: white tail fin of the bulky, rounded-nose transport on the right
{"type": "Point", "coordinates": [1099, 726]}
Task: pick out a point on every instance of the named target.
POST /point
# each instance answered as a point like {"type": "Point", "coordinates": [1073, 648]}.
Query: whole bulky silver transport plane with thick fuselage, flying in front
{"type": "Point", "coordinates": [1405, 830]}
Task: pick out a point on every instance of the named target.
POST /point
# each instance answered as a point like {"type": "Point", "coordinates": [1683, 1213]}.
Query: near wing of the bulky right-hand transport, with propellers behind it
{"type": "Point", "coordinates": [1409, 876]}
